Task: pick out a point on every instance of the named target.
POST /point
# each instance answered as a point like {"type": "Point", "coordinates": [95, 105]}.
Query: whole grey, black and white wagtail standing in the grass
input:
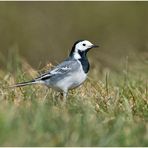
{"type": "Point", "coordinates": [69, 74]}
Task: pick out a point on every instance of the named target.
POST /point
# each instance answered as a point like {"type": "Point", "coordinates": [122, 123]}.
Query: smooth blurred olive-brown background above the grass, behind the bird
{"type": "Point", "coordinates": [43, 32]}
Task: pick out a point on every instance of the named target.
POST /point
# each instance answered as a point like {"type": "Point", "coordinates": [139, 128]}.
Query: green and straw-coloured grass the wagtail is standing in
{"type": "Point", "coordinates": [109, 111]}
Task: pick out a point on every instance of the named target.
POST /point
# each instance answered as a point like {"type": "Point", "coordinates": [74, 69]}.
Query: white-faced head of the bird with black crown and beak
{"type": "Point", "coordinates": [81, 47]}
